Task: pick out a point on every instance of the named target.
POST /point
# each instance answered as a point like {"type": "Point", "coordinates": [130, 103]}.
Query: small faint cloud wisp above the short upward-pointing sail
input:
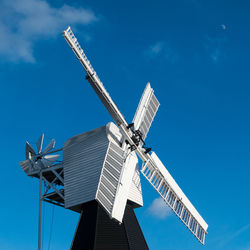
{"type": "Point", "coordinates": [163, 50]}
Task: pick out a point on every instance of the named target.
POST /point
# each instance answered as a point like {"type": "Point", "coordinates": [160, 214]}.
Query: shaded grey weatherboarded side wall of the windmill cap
{"type": "Point", "coordinates": [83, 157]}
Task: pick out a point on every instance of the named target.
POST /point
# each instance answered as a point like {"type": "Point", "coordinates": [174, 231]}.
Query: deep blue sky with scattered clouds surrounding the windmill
{"type": "Point", "coordinates": [196, 56]}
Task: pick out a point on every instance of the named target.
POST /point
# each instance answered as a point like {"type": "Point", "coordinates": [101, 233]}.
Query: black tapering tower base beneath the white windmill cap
{"type": "Point", "coordinates": [96, 230]}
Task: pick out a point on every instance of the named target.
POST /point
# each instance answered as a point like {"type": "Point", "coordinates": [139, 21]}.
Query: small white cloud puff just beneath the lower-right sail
{"type": "Point", "coordinates": [159, 209]}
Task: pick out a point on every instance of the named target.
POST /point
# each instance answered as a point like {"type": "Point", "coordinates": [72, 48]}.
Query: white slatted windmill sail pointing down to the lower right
{"type": "Point", "coordinates": [165, 185]}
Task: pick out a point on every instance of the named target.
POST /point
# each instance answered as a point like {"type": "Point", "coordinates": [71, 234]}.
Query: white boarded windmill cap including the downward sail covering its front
{"type": "Point", "coordinates": [97, 168]}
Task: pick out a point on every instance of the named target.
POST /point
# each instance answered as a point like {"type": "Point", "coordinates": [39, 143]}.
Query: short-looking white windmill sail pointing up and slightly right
{"type": "Point", "coordinates": [146, 111]}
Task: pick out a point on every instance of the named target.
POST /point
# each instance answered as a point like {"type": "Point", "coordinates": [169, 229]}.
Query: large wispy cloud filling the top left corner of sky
{"type": "Point", "coordinates": [24, 22]}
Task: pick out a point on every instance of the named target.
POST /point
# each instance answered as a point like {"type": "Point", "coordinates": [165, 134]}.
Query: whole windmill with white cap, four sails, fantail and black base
{"type": "Point", "coordinates": [99, 176]}
